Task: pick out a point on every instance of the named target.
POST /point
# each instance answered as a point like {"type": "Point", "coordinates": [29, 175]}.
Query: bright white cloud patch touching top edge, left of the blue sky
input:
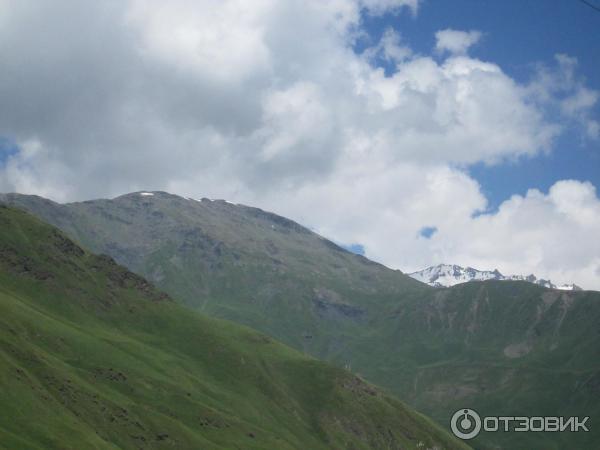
{"type": "Point", "coordinates": [221, 41]}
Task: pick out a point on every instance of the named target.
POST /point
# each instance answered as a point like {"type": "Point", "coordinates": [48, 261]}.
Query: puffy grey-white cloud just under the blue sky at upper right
{"type": "Point", "coordinates": [450, 112]}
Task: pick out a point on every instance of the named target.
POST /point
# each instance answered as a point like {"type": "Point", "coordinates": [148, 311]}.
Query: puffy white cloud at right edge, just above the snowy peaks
{"type": "Point", "coordinates": [552, 235]}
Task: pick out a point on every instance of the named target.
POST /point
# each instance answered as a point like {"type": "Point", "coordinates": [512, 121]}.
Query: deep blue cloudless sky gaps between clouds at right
{"type": "Point", "coordinates": [516, 36]}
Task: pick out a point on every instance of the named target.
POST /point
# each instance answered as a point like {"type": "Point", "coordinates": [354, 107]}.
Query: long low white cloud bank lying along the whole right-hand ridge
{"type": "Point", "coordinates": [552, 235]}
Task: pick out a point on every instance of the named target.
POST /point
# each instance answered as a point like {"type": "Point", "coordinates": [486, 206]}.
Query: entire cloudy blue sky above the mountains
{"type": "Point", "coordinates": [416, 132]}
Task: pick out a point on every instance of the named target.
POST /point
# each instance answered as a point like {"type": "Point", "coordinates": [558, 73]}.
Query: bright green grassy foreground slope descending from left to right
{"type": "Point", "coordinates": [93, 356]}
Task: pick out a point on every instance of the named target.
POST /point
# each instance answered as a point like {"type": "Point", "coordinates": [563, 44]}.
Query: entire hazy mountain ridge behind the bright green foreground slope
{"type": "Point", "coordinates": [503, 347]}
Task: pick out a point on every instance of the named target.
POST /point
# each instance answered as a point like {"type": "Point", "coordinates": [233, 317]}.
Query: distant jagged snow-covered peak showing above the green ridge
{"type": "Point", "coordinates": [444, 275]}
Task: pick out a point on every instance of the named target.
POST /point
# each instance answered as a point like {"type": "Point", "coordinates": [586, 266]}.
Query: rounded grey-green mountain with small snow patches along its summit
{"type": "Point", "coordinates": [236, 262]}
